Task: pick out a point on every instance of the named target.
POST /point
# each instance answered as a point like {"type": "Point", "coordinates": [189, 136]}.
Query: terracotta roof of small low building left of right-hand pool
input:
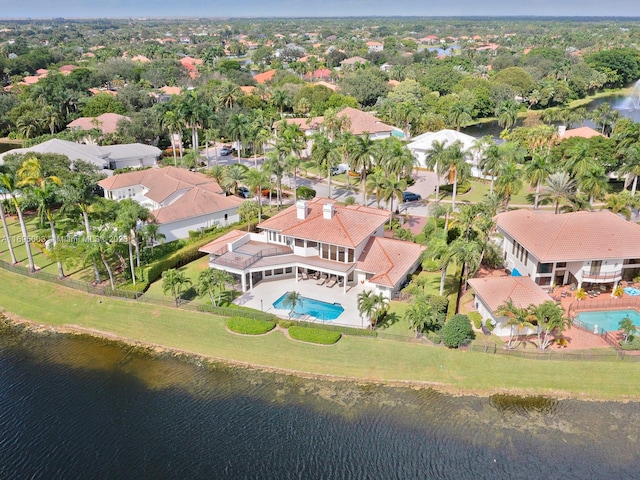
{"type": "Point", "coordinates": [495, 291]}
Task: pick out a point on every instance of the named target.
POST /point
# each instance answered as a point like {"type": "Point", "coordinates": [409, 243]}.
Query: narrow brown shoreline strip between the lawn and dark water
{"type": "Point", "coordinates": [153, 349]}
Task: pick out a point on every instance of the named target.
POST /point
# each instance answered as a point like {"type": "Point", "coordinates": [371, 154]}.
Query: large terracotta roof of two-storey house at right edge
{"type": "Point", "coordinates": [575, 236]}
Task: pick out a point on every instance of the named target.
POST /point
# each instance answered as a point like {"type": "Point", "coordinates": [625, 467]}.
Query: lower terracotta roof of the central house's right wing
{"type": "Point", "coordinates": [388, 259]}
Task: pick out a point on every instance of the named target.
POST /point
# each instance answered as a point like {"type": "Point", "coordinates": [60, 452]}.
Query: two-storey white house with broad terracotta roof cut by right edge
{"type": "Point", "coordinates": [570, 248]}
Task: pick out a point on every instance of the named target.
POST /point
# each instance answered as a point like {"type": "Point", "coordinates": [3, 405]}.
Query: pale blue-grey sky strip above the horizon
{"type": "Point", "coordinates": [331, 8]}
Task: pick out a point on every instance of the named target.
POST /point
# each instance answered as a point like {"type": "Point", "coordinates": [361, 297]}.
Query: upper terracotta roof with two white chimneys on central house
{"type": "Point", "coordinates": [350, 226]}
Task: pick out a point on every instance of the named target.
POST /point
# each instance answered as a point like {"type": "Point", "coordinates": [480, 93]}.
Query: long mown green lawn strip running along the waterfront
{"type": "Point", "coordinates": [358, 357]}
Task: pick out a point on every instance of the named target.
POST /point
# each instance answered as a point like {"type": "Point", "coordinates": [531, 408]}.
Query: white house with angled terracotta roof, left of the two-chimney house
{"type": "Point", "coordinates": [180, 200]}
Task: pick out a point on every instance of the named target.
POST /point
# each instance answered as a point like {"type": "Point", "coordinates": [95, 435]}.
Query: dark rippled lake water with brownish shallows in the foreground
{"type": "Point", "coordinates": [82, 408]}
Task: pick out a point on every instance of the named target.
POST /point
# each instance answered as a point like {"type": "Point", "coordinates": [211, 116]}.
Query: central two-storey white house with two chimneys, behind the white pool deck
{"type": "Point", "coordinates": [344, 243]}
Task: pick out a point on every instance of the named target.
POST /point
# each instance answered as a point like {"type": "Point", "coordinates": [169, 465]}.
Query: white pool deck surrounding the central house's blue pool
{"type": "Point", "coordinates": [266, 292]}
